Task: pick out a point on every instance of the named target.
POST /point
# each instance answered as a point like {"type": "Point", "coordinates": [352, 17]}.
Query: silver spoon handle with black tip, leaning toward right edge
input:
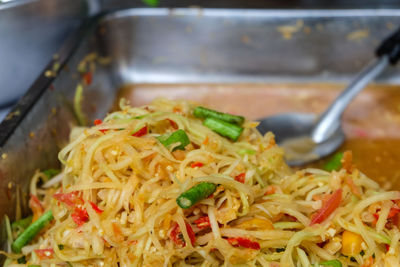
{"type": "Point", "coordinates": [387, 52]}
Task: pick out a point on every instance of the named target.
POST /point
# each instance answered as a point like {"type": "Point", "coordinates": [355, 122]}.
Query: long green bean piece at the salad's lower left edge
{"type": "Point", "coordinates": [31, 231]}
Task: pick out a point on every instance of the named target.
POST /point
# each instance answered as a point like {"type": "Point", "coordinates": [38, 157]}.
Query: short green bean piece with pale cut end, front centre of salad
{"type": "Point", "coordinates": [195, 194]}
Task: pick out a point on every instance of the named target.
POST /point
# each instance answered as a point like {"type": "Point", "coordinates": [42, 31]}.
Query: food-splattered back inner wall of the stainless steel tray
{"type": "Point", "coordinates": [245, 46]}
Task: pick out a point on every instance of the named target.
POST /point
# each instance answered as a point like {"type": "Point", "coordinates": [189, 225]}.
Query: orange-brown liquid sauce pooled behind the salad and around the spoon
{"type": "Point", "coordinates": [371, 122]}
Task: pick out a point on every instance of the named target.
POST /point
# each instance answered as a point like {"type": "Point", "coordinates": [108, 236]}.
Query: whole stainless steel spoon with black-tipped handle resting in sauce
{"type": "Point", "coordinates": [307, 137]}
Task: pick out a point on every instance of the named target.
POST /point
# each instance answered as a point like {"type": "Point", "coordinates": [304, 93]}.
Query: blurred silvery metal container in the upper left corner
{"type": "Point", "coordinates": [31, 31]}
